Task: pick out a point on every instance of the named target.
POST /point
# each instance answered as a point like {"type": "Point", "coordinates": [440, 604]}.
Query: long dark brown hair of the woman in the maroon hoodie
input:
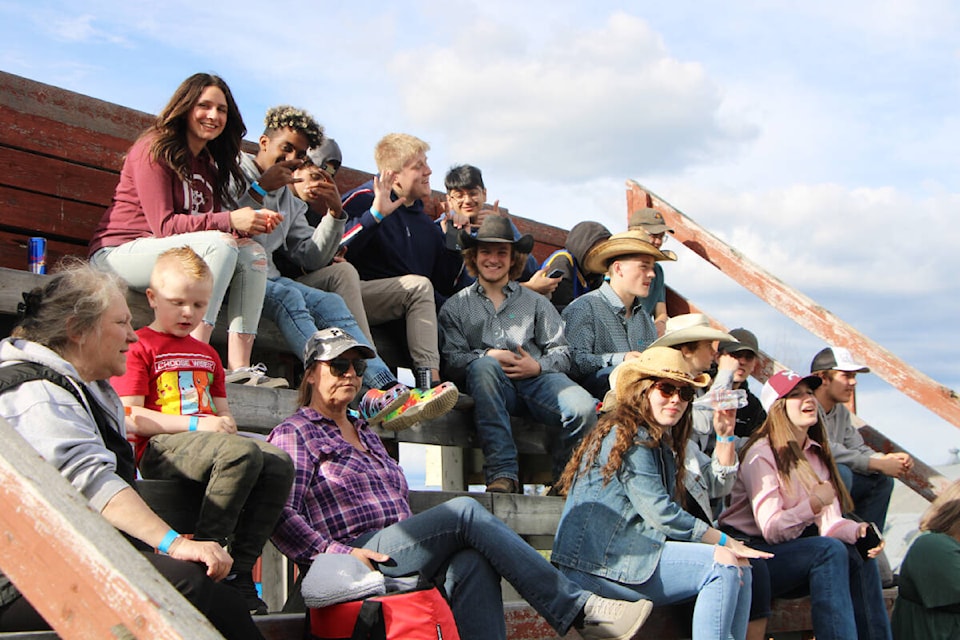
{"type": "Point", "coordinates": [169, 135]}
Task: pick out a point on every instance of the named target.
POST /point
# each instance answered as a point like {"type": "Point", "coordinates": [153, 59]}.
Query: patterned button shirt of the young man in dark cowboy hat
{"type": "Point", "coordinates": [469, 325]}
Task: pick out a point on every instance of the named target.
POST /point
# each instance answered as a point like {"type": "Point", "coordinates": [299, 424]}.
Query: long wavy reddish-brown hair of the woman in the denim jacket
{"type": "Point", "coordinates": [630, 415]}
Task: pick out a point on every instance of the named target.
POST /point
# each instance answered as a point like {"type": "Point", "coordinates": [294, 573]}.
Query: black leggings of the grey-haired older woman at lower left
{"type": "Point", "coordinates": [223, 606]}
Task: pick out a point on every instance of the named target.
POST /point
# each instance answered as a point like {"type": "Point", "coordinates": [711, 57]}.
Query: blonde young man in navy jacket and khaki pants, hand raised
{"type": "Point", "coordinates": [398, 249]}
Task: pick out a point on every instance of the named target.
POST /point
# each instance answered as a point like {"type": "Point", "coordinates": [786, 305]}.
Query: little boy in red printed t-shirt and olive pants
{"type": "Point", "coordinates": [174, 386]}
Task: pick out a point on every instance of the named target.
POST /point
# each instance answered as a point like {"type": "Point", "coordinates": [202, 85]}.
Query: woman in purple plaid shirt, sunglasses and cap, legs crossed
{"type": "Point", "coordinates": [350, 496]}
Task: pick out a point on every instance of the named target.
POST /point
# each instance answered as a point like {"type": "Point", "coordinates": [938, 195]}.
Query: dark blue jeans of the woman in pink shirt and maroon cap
{"type": "Point", "coordinates": [846, 599]}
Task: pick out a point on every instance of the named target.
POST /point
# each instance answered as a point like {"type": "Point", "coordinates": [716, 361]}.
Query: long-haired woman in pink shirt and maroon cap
{"type": "Point", "coordinates": [789, 500]}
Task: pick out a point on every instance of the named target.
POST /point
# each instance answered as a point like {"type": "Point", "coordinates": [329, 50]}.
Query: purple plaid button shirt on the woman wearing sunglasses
{"type": "Point", "coordinates": [339, 493]}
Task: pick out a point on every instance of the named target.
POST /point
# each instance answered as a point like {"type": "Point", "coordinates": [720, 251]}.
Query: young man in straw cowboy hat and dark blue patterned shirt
{"type": "Point", "coordinates": [608, 326]}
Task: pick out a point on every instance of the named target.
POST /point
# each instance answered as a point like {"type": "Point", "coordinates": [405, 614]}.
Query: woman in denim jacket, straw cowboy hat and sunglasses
{"type": "Point", "coordinates": [626, 530]}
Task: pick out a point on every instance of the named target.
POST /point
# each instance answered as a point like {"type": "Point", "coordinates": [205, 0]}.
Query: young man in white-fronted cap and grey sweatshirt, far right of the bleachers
{"type": "Point", "coordinates": [866, 473]}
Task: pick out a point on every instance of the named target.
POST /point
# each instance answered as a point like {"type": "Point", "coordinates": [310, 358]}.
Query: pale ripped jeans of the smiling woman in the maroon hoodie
{"type": "Point", "coordinates": [239, 264]}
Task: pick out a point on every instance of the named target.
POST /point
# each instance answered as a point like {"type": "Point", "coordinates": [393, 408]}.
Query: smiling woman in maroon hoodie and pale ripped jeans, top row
{"type": "Point", "coordinates": [174, 190]}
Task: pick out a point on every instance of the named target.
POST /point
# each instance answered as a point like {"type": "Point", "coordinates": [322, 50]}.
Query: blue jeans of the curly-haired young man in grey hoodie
{"type": "Point", "coordinates": [299, 311]}
